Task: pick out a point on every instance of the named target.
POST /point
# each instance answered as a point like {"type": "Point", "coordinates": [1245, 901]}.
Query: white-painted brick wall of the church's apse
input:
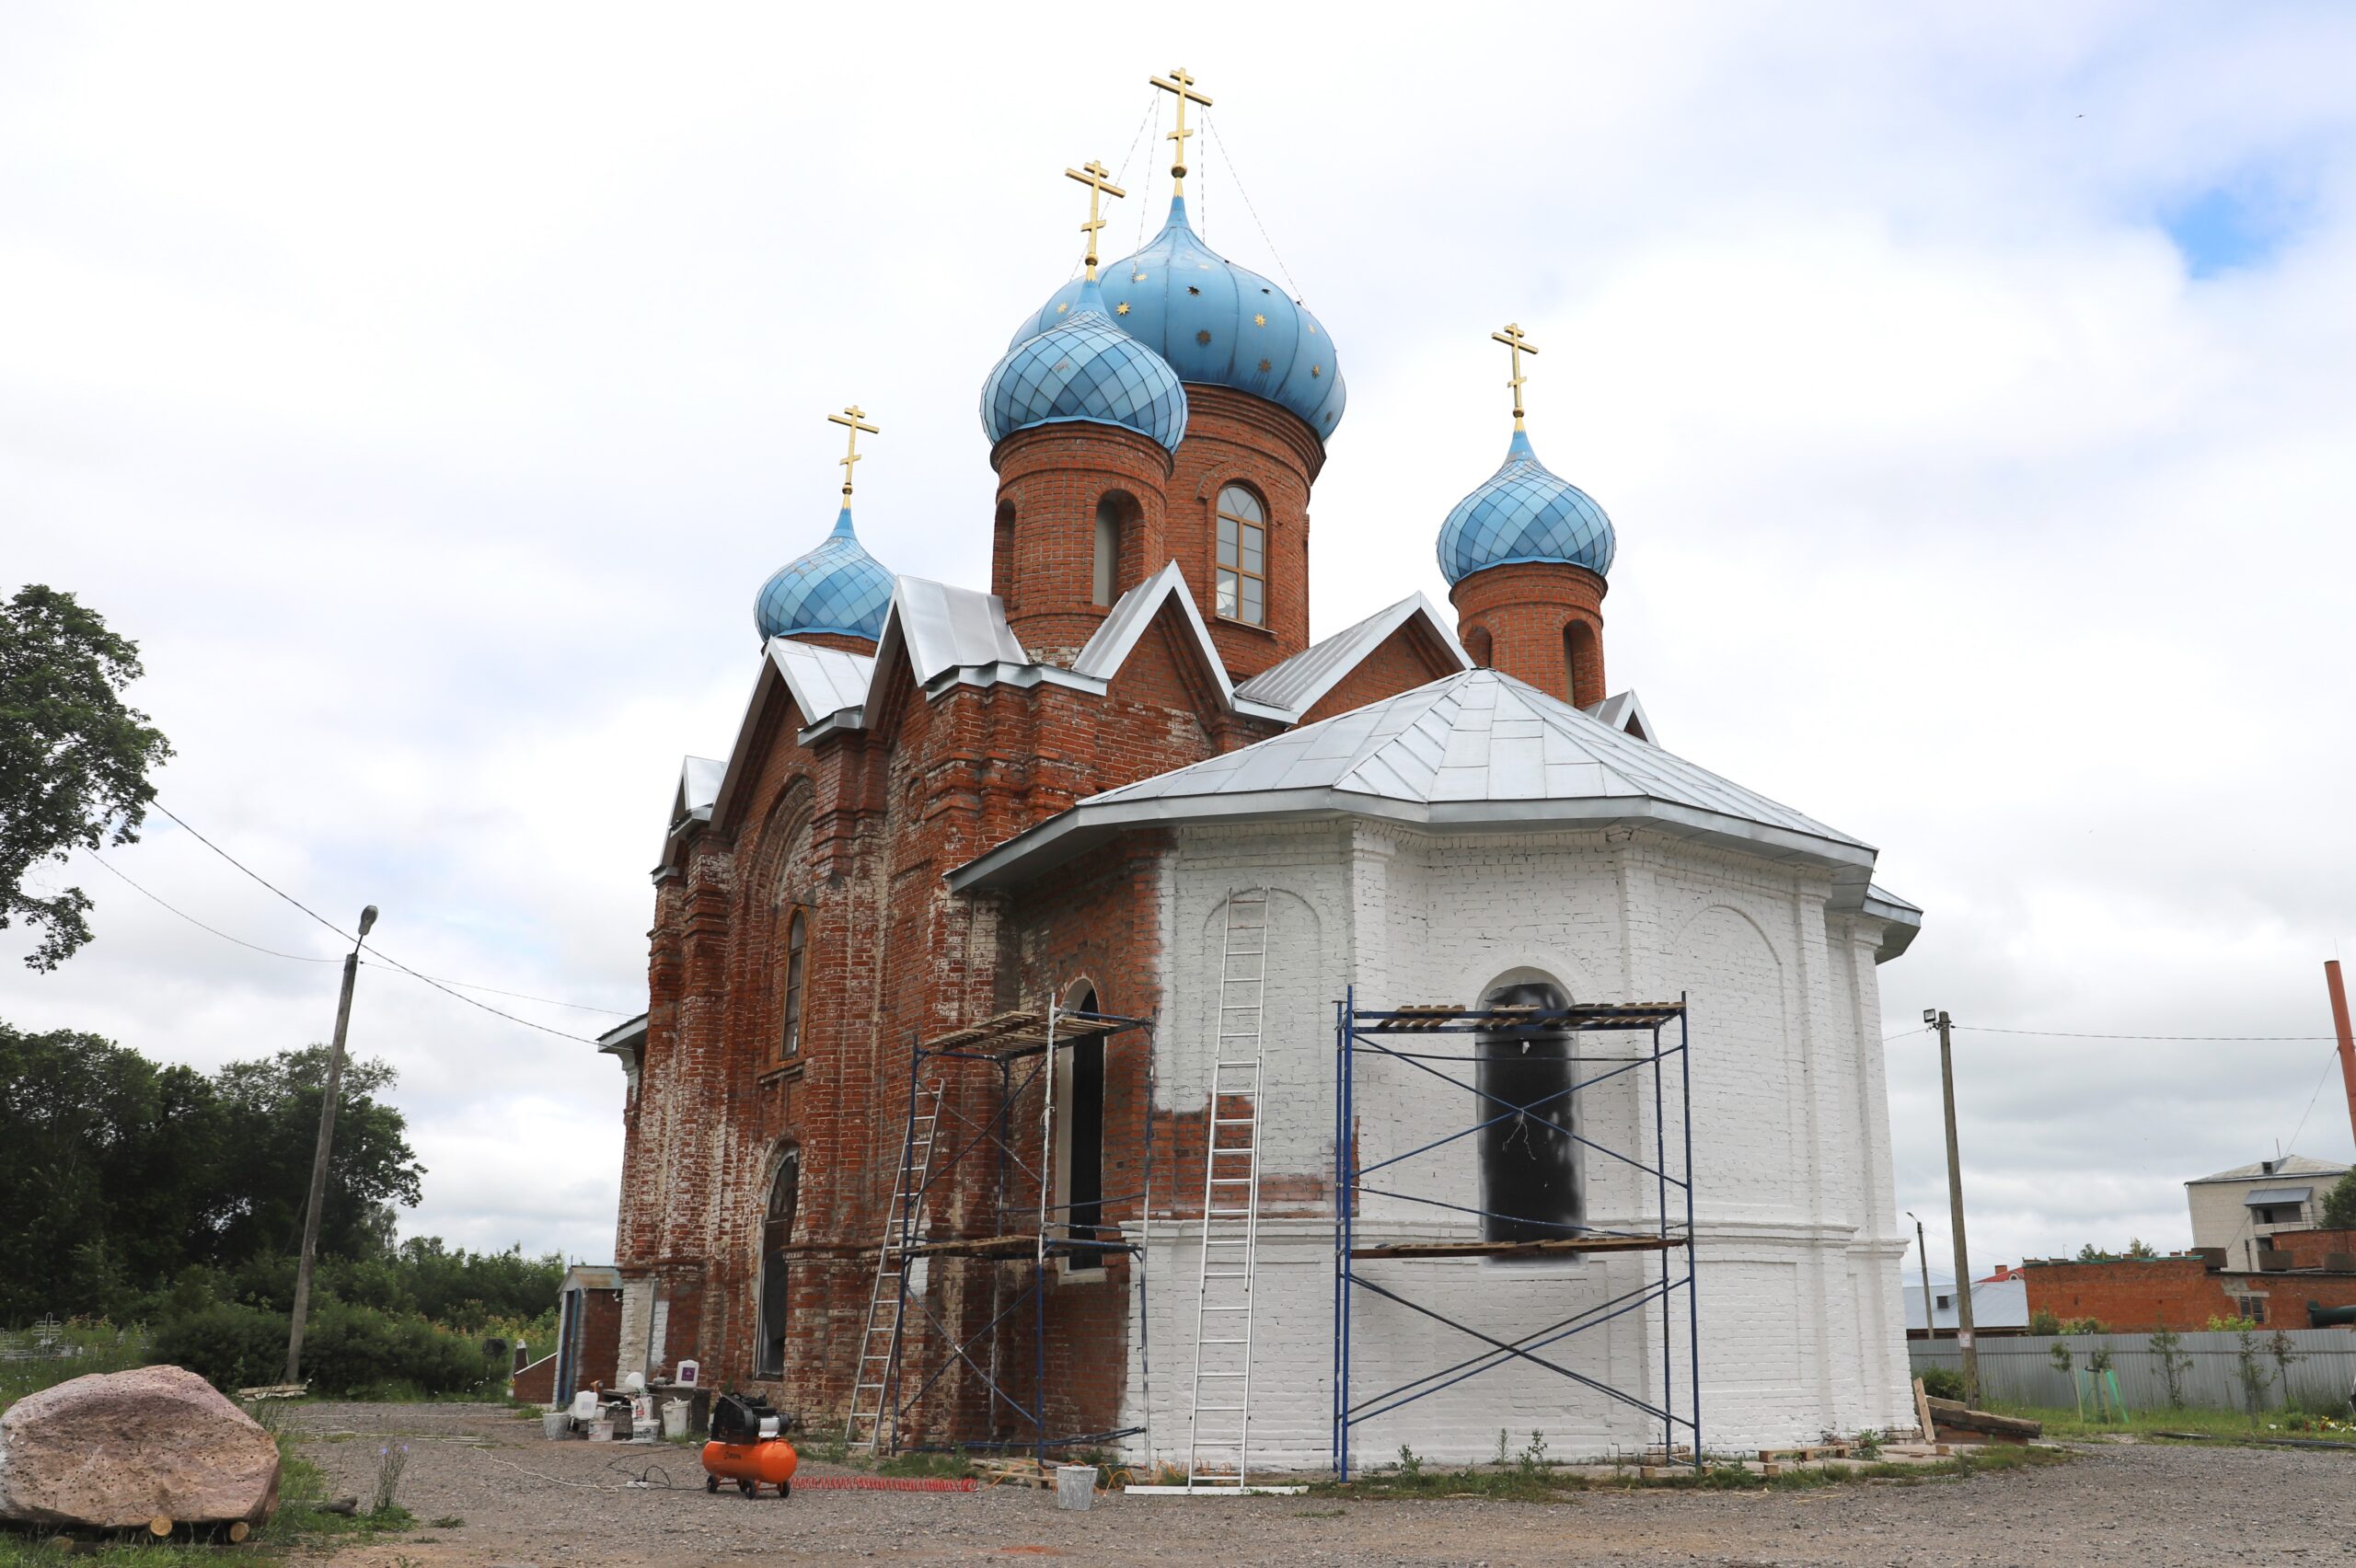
{"type": "Point", "coordinates": [1801, 1327]}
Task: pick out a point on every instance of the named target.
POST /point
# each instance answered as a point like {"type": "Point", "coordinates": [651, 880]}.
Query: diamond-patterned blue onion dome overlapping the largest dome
{"type": "Point", "coordinates": [1085, 368]}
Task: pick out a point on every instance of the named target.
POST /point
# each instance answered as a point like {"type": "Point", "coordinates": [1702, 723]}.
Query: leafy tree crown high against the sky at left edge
{"type": "Point", "coordinates": [74, 759]}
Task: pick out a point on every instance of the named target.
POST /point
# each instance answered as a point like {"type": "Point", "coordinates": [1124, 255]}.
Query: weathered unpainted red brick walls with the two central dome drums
{"type": "Point", "coordinates": [856, 828]}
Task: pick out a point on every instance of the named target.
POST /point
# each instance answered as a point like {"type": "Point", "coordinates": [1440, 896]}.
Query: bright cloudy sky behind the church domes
{"type": "Point", "coordinates": [428, 392]}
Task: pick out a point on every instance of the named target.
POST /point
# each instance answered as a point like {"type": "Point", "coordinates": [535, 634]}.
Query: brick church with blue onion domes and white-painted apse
{"type": "Point", "coordinates": [946, 806]}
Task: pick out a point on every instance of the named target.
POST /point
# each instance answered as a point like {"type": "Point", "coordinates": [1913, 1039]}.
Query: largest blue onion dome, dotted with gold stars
{"type": "Point", "coordinates": [1217, 324]}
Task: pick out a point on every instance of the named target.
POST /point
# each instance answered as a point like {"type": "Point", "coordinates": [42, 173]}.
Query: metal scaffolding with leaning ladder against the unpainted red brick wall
{"type": "Point", "coordinates": [1024, 1230]}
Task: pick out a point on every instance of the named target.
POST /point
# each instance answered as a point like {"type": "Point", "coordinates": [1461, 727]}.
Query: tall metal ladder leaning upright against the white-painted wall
{"type": "Point", "coordinates": [1231, 1207]}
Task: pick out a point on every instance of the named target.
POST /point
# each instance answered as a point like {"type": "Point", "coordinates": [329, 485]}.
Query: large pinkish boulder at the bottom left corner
{"type": "Point", "coordinates": [121, 1449]}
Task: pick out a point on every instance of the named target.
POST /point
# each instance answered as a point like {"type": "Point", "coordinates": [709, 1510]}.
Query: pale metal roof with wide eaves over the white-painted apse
{"type": "Point", "coordinates": [1476, 750]}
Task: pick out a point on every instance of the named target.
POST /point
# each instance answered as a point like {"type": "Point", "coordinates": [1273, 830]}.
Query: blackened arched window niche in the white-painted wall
{"type": "Point", "coordinates": [1530, 1171]}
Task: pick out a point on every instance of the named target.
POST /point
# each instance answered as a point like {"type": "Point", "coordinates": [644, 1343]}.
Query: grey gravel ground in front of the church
{"type": "Point", "coordinates": [560, 1506]}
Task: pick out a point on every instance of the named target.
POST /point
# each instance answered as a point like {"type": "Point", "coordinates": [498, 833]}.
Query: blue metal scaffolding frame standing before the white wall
{"type": "Point", "coordinates": [1377, 1035]}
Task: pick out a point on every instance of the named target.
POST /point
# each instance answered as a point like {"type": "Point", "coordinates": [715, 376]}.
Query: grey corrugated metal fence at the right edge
{"type": "Point", "coordinates": [2020, 1371]}
